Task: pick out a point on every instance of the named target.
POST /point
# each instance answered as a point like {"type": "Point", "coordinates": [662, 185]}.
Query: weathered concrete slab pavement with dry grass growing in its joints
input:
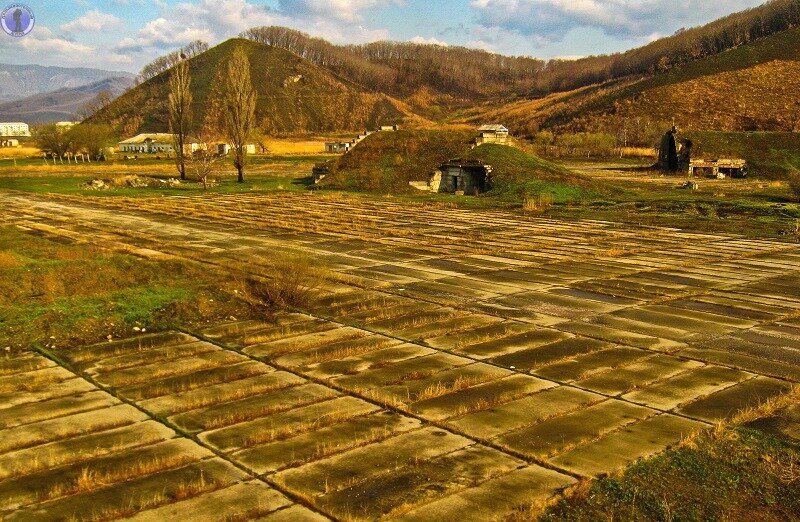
{"type": "Point", "coordinates": [459, 362]}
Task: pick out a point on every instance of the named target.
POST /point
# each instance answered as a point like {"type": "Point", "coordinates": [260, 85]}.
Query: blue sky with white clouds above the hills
{"type": "Point", "coordinates": [124, 35]}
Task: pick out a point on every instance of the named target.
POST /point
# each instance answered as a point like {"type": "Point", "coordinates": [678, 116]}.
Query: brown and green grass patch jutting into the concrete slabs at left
{"type": "Point", "coordinates": [68, 294]}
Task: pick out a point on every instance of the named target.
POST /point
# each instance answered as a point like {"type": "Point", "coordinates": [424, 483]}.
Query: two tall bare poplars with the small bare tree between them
{"type": "Point", "coordinates": [233, 121]}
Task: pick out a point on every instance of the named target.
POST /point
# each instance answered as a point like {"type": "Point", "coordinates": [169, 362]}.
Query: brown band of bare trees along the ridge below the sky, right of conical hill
{"type": "Point", "coordinates": [402, 67]}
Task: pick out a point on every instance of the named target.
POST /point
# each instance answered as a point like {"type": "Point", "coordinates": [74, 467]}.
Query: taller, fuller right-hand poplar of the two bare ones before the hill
{"type": "Point", "coordinates": [240, 108]}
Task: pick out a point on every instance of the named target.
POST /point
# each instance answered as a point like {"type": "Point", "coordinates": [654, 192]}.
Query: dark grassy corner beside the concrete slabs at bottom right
{"type": "Point", "coordinates": [734, 472]}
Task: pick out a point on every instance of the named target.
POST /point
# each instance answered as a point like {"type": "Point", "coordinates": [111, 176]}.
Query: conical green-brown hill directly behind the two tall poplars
{"type": "Point", "coordinates": [294, 96]}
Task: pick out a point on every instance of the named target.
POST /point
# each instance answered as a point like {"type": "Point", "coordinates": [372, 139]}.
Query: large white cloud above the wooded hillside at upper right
{"type": "Point", "coordinates": [552, 19]}
